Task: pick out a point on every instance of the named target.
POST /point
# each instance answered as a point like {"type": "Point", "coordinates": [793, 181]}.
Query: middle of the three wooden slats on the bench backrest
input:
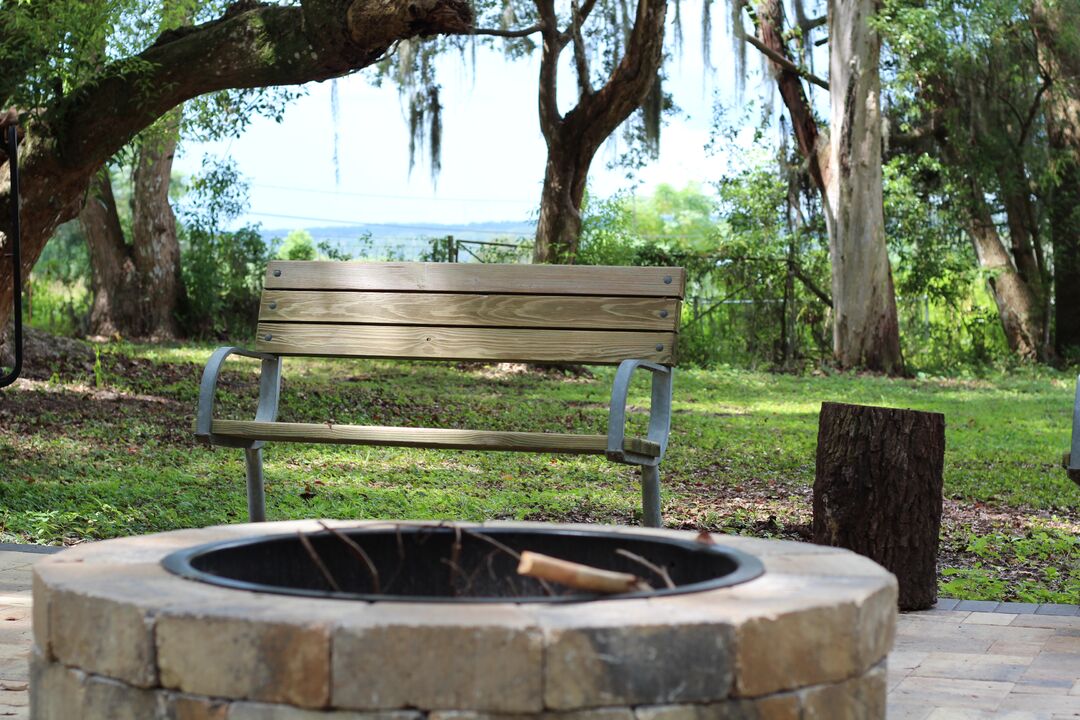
{"type": "Point", "coordinates": [550, 311]}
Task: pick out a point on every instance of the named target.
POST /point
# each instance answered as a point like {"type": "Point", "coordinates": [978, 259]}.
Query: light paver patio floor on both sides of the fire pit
{"type": "Point", "coordinates": [1008, 662]}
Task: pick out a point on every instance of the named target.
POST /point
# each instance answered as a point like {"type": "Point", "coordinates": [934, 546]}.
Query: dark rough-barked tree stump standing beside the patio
{"type": "Point", "coordinates": [879, 492]}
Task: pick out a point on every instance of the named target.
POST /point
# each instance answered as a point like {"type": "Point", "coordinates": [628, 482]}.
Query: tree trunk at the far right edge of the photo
{"type": "Point", "coordinates": [1057, 28]}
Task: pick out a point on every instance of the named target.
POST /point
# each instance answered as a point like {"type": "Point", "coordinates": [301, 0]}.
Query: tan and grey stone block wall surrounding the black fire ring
{"type": "Point", "coordinates": [117, 637]}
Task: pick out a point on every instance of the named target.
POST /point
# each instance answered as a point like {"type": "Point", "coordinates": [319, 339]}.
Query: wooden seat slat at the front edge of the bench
{"type": "Point", "coordinates": [426, 438]}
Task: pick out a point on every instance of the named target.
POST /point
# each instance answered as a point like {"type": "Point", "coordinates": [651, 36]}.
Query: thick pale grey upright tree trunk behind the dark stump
{"type": "Point", "coordinates": [866, 330]}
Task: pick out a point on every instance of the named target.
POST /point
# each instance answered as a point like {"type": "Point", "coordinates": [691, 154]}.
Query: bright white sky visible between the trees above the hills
{"type": "Point", "coordinates": [493, 158]}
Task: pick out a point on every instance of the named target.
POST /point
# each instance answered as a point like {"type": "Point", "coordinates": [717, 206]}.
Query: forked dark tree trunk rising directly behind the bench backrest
{"type": "Point", "coordinates": [573, 140]}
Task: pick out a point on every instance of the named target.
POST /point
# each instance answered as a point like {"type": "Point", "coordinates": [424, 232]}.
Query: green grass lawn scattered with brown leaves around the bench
{"type": "Point", "coordinates": [102, 447]}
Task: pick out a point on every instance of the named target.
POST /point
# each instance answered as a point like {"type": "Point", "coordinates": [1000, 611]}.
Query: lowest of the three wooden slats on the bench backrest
{"type": "Point", "coordinates": [495, 345]}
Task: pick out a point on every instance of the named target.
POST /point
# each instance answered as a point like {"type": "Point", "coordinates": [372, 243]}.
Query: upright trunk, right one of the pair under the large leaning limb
{"type": "Point", "coordinates": [154, 232]}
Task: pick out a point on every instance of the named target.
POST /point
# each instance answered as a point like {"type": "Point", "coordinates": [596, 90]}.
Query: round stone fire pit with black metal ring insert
{"type": "Point", "coordinates": [433, 621]}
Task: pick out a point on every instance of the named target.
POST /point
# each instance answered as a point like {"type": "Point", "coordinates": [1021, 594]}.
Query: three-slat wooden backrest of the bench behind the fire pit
{"type": "Point", "coordinates": [530, 314]}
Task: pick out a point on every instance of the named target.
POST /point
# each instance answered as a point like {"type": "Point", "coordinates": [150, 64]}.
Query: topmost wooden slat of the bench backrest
{"type": "Point", "coordinates": [476, 278]}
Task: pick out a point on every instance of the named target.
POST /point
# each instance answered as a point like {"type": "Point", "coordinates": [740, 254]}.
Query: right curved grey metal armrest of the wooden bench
{"type": "Point", "coordinates": [660, 412]}
